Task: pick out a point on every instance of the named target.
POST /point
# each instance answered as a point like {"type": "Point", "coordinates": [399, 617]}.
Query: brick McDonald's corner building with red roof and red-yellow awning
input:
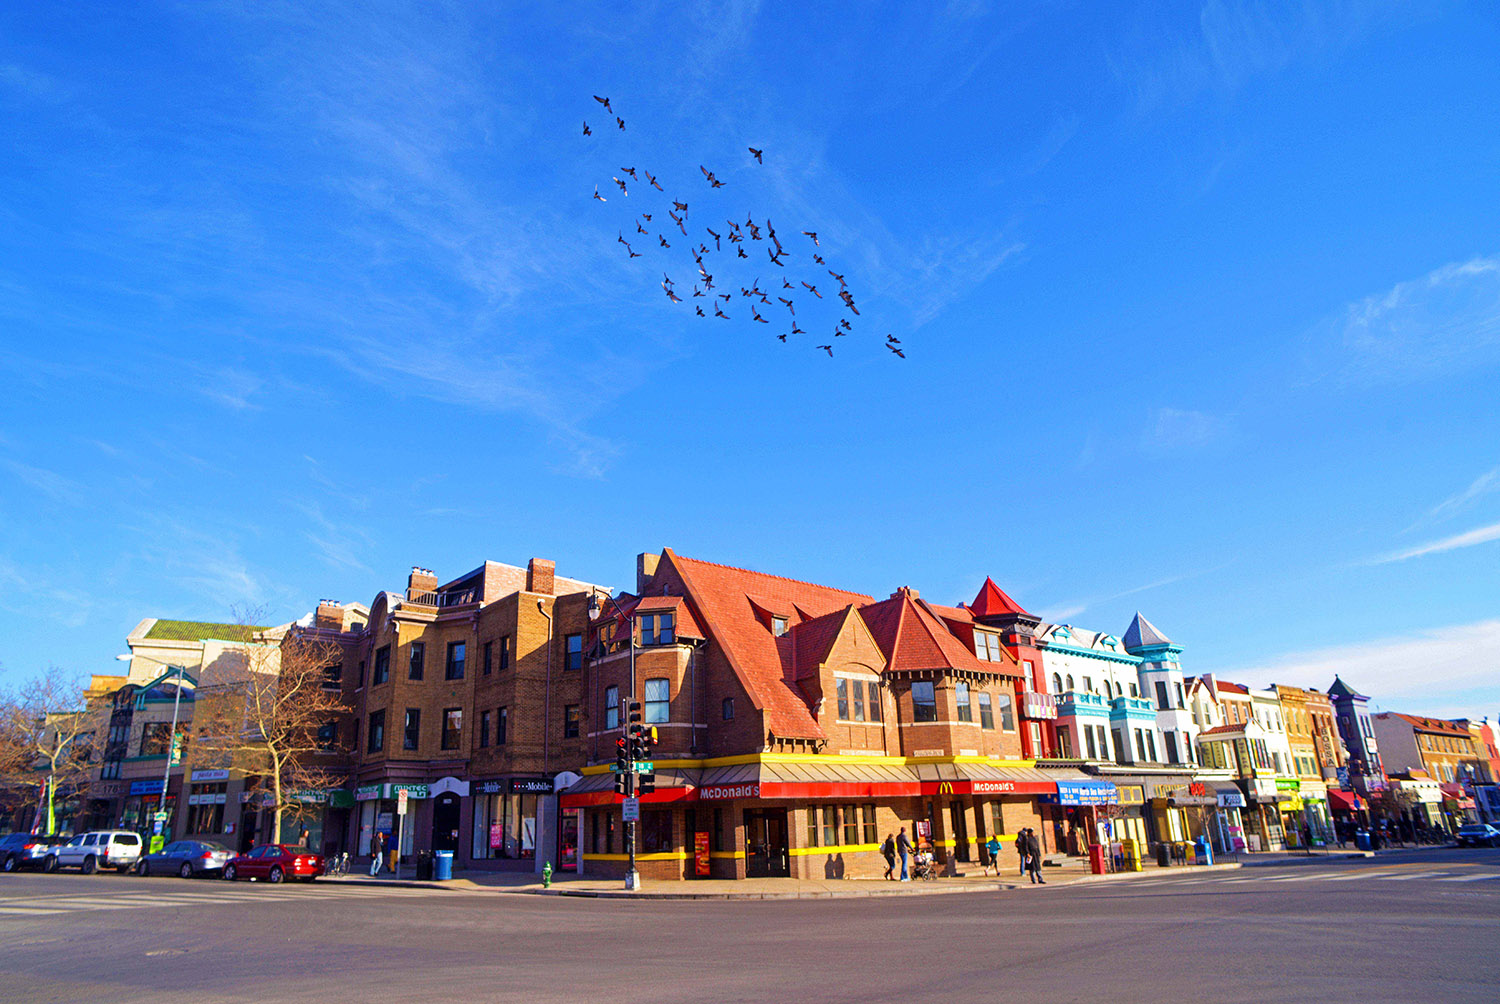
{"type": "Point", "coordinates": [800, 726]}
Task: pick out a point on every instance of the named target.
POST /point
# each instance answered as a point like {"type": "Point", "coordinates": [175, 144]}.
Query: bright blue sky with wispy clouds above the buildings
{"type": "Point", "coordinates": [1202, 314]}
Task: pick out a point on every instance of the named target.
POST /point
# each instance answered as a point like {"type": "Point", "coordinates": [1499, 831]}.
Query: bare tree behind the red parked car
{"type": "Point", "coordinates": [271, 718]}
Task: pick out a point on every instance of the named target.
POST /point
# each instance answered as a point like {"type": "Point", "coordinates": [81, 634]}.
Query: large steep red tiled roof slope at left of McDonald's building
{"type": "Point", "coordinates": [722, 597]}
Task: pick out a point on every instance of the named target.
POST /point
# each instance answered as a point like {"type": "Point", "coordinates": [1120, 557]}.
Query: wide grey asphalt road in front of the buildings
{"type": "Point", "coordinates": [1405, 928]}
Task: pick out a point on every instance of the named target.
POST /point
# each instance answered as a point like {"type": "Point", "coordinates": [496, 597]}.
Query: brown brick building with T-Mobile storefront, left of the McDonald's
{"type": "Point", "coordinates": [470, 697]}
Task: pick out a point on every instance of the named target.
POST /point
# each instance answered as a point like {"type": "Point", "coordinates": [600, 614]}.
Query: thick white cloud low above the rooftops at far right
{"type": "Point", "coordinates": [1433, 672]}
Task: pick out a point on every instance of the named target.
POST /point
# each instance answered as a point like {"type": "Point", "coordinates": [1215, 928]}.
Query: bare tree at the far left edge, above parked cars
{"type": "Point", "coordinates": [49, 736]}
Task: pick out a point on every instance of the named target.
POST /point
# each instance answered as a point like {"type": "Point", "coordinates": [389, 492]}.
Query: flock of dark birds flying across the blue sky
{"type": "Point", "coordinates": [739, 236]}
